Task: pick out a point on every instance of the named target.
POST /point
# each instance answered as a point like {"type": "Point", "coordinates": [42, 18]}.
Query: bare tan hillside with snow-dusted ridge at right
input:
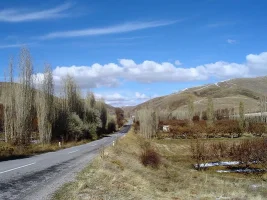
{"type": "Point", "coordinates": [225, 94]}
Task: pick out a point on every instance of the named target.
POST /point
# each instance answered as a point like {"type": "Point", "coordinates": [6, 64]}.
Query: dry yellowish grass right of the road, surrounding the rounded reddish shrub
{"type": "Point", "coordinates": [118, 174]}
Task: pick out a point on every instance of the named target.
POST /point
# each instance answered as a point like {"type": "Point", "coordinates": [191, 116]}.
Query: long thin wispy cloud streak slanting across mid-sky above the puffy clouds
{"type": "Point", "coordinates": [121, 28]}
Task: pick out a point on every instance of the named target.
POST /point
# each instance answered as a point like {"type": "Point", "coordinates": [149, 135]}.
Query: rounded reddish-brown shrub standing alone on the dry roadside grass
{"type": "Point", "coordinates": [149, 157]}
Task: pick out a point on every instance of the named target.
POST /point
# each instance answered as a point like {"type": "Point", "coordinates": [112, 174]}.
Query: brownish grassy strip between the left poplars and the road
{"type": "Point", "coordinates": [9, 152]}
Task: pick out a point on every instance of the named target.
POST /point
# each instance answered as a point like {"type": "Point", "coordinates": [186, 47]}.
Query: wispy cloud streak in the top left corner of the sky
{"type": "Point", "coordinates": [22, 15]}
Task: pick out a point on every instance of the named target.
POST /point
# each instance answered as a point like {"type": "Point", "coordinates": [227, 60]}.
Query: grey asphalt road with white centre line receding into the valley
{"type": "Point", "coordinates": [39, 176]}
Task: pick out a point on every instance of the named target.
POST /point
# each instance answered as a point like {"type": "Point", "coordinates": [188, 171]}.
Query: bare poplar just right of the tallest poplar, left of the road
{"type": "Point", "coordinates": [44, 102]}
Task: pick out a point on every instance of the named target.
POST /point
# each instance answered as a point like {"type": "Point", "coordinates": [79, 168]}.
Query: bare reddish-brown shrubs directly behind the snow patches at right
{"type": "Point", "coordinates": [247, 152]}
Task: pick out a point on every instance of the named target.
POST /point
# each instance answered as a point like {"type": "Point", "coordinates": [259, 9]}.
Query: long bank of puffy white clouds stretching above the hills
{"type": "Point", "coordinates": [112, 74]}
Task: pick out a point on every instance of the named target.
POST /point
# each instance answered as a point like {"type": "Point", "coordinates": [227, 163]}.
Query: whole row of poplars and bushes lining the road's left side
{"type": "Point", "coordinates": [31, 106]}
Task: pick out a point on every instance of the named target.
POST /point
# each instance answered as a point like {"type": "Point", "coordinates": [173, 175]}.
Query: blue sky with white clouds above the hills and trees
{"type": "Point", "coordinates": [128, 51]}
